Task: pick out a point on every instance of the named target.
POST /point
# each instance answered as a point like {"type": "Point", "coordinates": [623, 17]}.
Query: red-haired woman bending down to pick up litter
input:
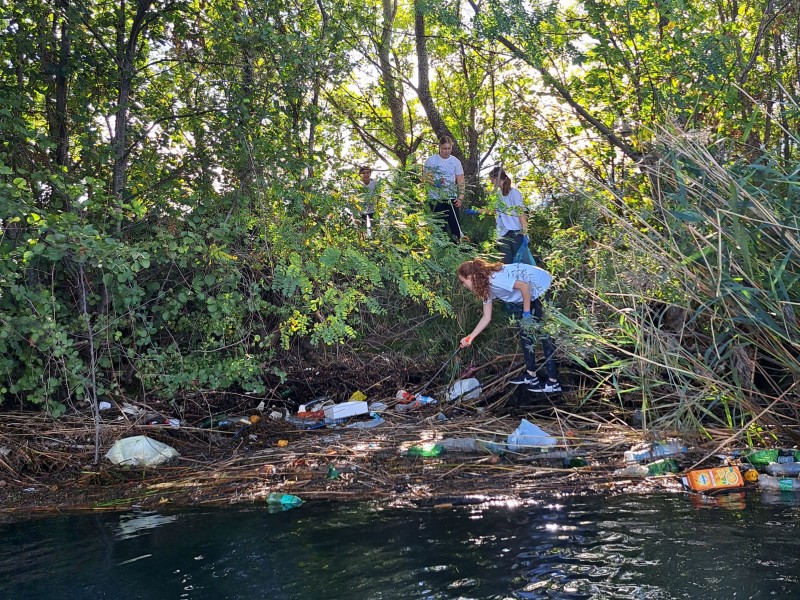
{"type": "Point", "coordinates": [521, 286]}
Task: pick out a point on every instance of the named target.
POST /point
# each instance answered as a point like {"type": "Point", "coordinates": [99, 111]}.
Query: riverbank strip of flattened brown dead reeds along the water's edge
{"type": "Point", "coordinates": [48, 465]}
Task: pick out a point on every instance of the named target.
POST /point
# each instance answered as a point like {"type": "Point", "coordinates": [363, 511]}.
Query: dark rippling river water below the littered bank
{"type": "Point", "coordinates": [653, 547]}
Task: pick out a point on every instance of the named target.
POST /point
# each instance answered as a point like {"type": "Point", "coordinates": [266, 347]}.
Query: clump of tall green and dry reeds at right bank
{"type": "Point", "coordinates": [694, 314]}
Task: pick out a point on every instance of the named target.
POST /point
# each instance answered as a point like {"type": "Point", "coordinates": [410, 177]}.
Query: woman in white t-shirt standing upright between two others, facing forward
{"type": "Point", "coordinates": [445, 178]}
